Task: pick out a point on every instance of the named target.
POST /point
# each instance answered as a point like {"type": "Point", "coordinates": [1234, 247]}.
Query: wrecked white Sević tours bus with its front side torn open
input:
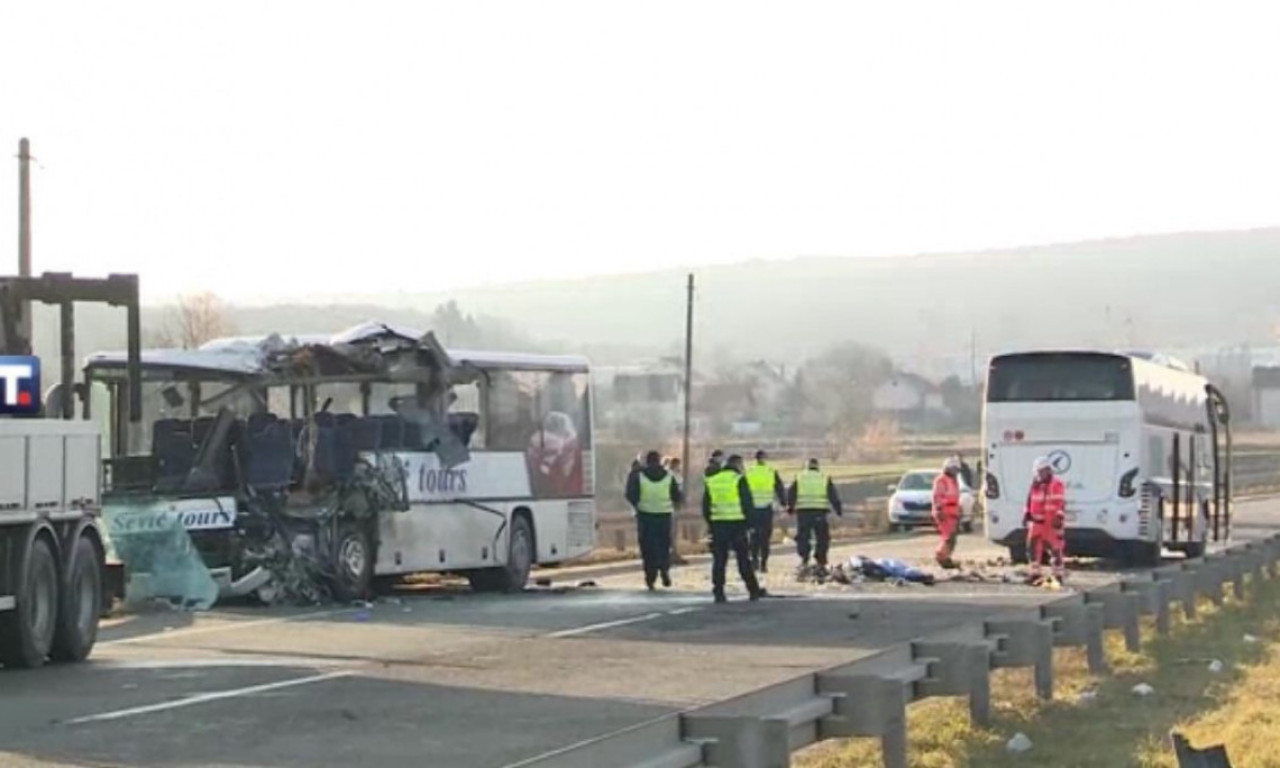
{"type": "Point", "coordinates": [303, 469]}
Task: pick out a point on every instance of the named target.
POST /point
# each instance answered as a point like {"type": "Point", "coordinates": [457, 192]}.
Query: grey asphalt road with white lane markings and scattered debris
{"type": "Point", "coordinates": [449, 679]}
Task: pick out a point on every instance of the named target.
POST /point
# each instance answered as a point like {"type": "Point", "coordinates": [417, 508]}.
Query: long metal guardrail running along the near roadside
{"type": "Point", "coordinates": [868, 698]}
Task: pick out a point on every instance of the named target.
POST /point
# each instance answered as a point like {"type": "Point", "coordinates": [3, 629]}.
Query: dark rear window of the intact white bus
{"type": "Point", "coordinates": [1059, 378]}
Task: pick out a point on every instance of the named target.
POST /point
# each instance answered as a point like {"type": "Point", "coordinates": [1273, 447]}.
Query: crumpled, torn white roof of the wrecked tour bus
{"type": "Point", "coordinates": [248, 356]}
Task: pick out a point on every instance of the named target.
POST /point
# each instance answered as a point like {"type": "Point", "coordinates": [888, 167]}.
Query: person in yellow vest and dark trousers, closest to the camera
{"type": "Point", "coordinates": [726, 505]}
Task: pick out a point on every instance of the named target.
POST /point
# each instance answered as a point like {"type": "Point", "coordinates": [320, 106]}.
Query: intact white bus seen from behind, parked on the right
{"type": "Point", "coordinates": [1141, 444]}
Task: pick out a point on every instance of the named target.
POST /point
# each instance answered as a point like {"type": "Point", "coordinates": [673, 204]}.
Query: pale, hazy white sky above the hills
{"type": "Point", "coordinates": [322, 148]}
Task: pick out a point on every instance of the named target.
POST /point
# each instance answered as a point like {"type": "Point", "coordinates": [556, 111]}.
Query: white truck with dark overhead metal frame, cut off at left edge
{"type": "Point", "coordinates": [53, 574]}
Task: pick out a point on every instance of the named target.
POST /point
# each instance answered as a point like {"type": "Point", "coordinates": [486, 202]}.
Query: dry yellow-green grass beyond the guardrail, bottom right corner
{"type": "Point", "coordinates": [1238, 707]}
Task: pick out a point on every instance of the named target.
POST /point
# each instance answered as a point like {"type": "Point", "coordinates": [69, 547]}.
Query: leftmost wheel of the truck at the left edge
{"type": "Point", "coordinates": [28, 633]}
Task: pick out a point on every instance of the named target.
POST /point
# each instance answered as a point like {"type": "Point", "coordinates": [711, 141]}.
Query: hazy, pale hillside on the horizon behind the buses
{"type": "Point", "coordinates": [1176, 291]}
